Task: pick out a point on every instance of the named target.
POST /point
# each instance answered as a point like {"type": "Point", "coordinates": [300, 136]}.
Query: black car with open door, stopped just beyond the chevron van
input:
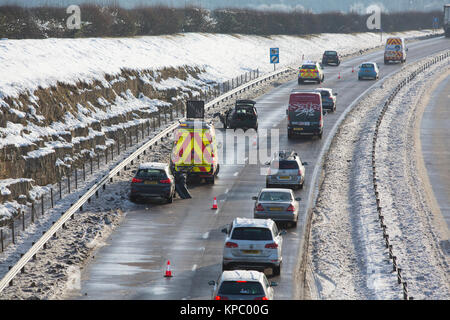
{"type": "Point", "coordinates": [244, 116]}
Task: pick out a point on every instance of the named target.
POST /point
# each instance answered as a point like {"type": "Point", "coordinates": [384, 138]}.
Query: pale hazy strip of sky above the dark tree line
{"type": "Point", "coordinates": [284, 5]}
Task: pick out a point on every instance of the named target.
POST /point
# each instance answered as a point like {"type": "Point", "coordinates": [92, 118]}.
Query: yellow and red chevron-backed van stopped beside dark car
{"type": "Point", "coordinates": [195, 150]}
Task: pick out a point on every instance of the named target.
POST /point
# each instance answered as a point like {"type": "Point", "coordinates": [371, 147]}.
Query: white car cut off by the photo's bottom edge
{"type": "Point", "coordinates": [242, 285]}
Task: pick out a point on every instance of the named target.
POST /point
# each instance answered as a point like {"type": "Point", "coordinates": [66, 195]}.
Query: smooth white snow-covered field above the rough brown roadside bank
{"type": "Point", "coordinates": [27, 64]}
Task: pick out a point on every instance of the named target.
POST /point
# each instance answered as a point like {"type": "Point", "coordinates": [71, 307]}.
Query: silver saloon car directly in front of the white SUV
{"type": "Point", "coordinates": [280, 205]}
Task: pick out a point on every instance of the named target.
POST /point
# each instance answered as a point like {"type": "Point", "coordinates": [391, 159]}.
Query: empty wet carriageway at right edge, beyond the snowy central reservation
{"type": "Point", "coordinates": [435, 141]}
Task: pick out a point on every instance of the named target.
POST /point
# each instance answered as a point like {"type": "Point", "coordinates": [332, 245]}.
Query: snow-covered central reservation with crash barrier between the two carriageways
{"type": "Point", "coordinates": [348, 253]}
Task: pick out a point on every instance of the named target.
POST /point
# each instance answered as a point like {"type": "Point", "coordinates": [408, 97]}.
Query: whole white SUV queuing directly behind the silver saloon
{"type": "Point", "coordinates": [252, 244]}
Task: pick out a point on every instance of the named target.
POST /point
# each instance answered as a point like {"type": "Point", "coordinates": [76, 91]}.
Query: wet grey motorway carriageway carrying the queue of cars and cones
{"type": "Point", "coordinates": [187, 232]}
